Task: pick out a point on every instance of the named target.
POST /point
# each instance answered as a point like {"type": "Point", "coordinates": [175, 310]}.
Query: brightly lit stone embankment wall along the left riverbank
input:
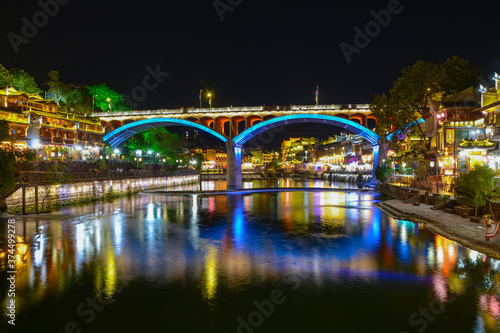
{"type": "Point", "coordinates": [92, 190]}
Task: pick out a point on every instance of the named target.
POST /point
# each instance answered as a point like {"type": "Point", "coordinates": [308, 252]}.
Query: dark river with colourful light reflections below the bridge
{"type": "Point", "coordinates": [289, 261]}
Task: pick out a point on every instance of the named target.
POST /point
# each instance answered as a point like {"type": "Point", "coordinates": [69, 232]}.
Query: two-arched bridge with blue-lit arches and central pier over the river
{"type": "Point", "coordinates": [257, 121]}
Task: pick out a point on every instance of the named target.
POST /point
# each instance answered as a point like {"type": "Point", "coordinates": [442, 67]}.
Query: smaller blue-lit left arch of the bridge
{"type": "Point", "coordinates": [122, 133]}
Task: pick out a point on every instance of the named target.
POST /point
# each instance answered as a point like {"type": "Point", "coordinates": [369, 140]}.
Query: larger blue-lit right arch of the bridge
{"type": "Point", "coordinates": [352, 126]}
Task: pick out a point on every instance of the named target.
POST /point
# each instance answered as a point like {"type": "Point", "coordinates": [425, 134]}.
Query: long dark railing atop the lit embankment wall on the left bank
{"type": "Point", "coordinates": [40, 178]}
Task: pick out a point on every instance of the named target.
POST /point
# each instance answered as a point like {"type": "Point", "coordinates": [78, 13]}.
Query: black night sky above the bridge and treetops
{"type": "Point", "coordinates": [262, 52]}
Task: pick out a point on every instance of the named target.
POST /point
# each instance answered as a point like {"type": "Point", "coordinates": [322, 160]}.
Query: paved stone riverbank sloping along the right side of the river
{"type": "Point", "coordinates": [459, 229]}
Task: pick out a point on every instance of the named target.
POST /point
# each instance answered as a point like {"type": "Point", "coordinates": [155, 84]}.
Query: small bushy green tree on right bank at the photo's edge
{"type": "Point", "coordinates": [477, 188]}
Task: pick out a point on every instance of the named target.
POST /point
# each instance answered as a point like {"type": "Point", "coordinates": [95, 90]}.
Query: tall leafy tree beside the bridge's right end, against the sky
{"type": "Point", "coordinates": [420, 85]}
